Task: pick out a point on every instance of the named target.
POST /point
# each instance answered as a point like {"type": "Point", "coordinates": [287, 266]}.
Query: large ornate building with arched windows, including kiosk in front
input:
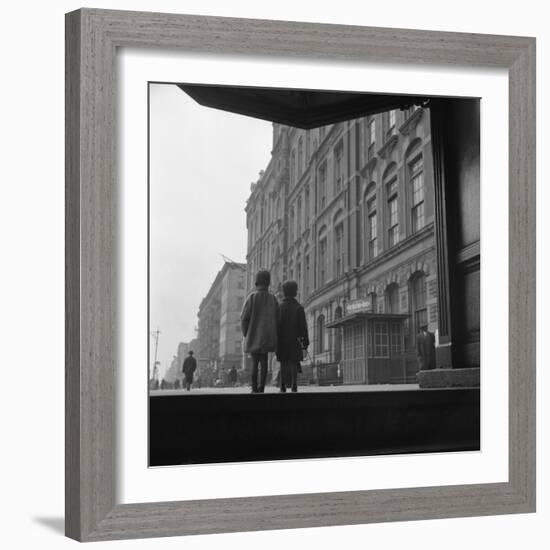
{"type": "Point", "coordinates": [347, 211]}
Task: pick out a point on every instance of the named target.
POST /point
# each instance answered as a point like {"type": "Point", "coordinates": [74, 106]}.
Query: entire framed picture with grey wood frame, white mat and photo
{"type": "Point", "coordinates": [296, 296]}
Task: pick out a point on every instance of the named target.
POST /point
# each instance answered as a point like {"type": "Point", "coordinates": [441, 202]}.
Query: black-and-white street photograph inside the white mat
{"type": "Point", "coordinates": [314, 274]}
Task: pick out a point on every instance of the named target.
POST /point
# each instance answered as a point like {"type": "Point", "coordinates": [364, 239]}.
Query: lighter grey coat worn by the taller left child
{"type": "Point", "coordinates": [259, 322]}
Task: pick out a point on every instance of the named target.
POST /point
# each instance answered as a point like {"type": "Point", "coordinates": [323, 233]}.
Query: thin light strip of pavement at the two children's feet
{"type": "Point", "coordinates": [301, 389]}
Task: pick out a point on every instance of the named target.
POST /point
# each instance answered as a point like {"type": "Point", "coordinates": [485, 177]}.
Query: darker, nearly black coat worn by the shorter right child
{"type": "Point", "coordinates": [292, 331]}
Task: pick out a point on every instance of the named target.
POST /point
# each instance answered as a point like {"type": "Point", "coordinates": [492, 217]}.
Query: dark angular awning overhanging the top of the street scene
{"type": "Point", "coordinates": [304, 109]}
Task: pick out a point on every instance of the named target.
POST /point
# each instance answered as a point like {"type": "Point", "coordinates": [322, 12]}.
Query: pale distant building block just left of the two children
{"type": "Point", "coordinates": [219, 335]}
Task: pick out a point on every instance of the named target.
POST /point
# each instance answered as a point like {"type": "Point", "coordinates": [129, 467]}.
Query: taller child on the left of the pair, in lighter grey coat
{"type": "Point", "coordinates": [259, 327]}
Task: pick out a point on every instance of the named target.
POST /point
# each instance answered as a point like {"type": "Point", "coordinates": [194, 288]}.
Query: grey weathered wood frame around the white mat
{"type": "Point", "coordinates": [92, 38]}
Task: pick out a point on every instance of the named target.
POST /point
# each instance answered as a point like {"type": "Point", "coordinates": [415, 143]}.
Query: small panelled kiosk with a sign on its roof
{"type": "Point", "coordinates": [373, 345]}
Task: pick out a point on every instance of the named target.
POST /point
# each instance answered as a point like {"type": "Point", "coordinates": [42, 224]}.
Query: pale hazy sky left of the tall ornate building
{"type": "Point", "coordinates": [202, 162]}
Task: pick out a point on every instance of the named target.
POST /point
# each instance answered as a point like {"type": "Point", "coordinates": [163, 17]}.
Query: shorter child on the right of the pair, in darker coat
{"type": "Point", "coordinates": [292, 336]}
